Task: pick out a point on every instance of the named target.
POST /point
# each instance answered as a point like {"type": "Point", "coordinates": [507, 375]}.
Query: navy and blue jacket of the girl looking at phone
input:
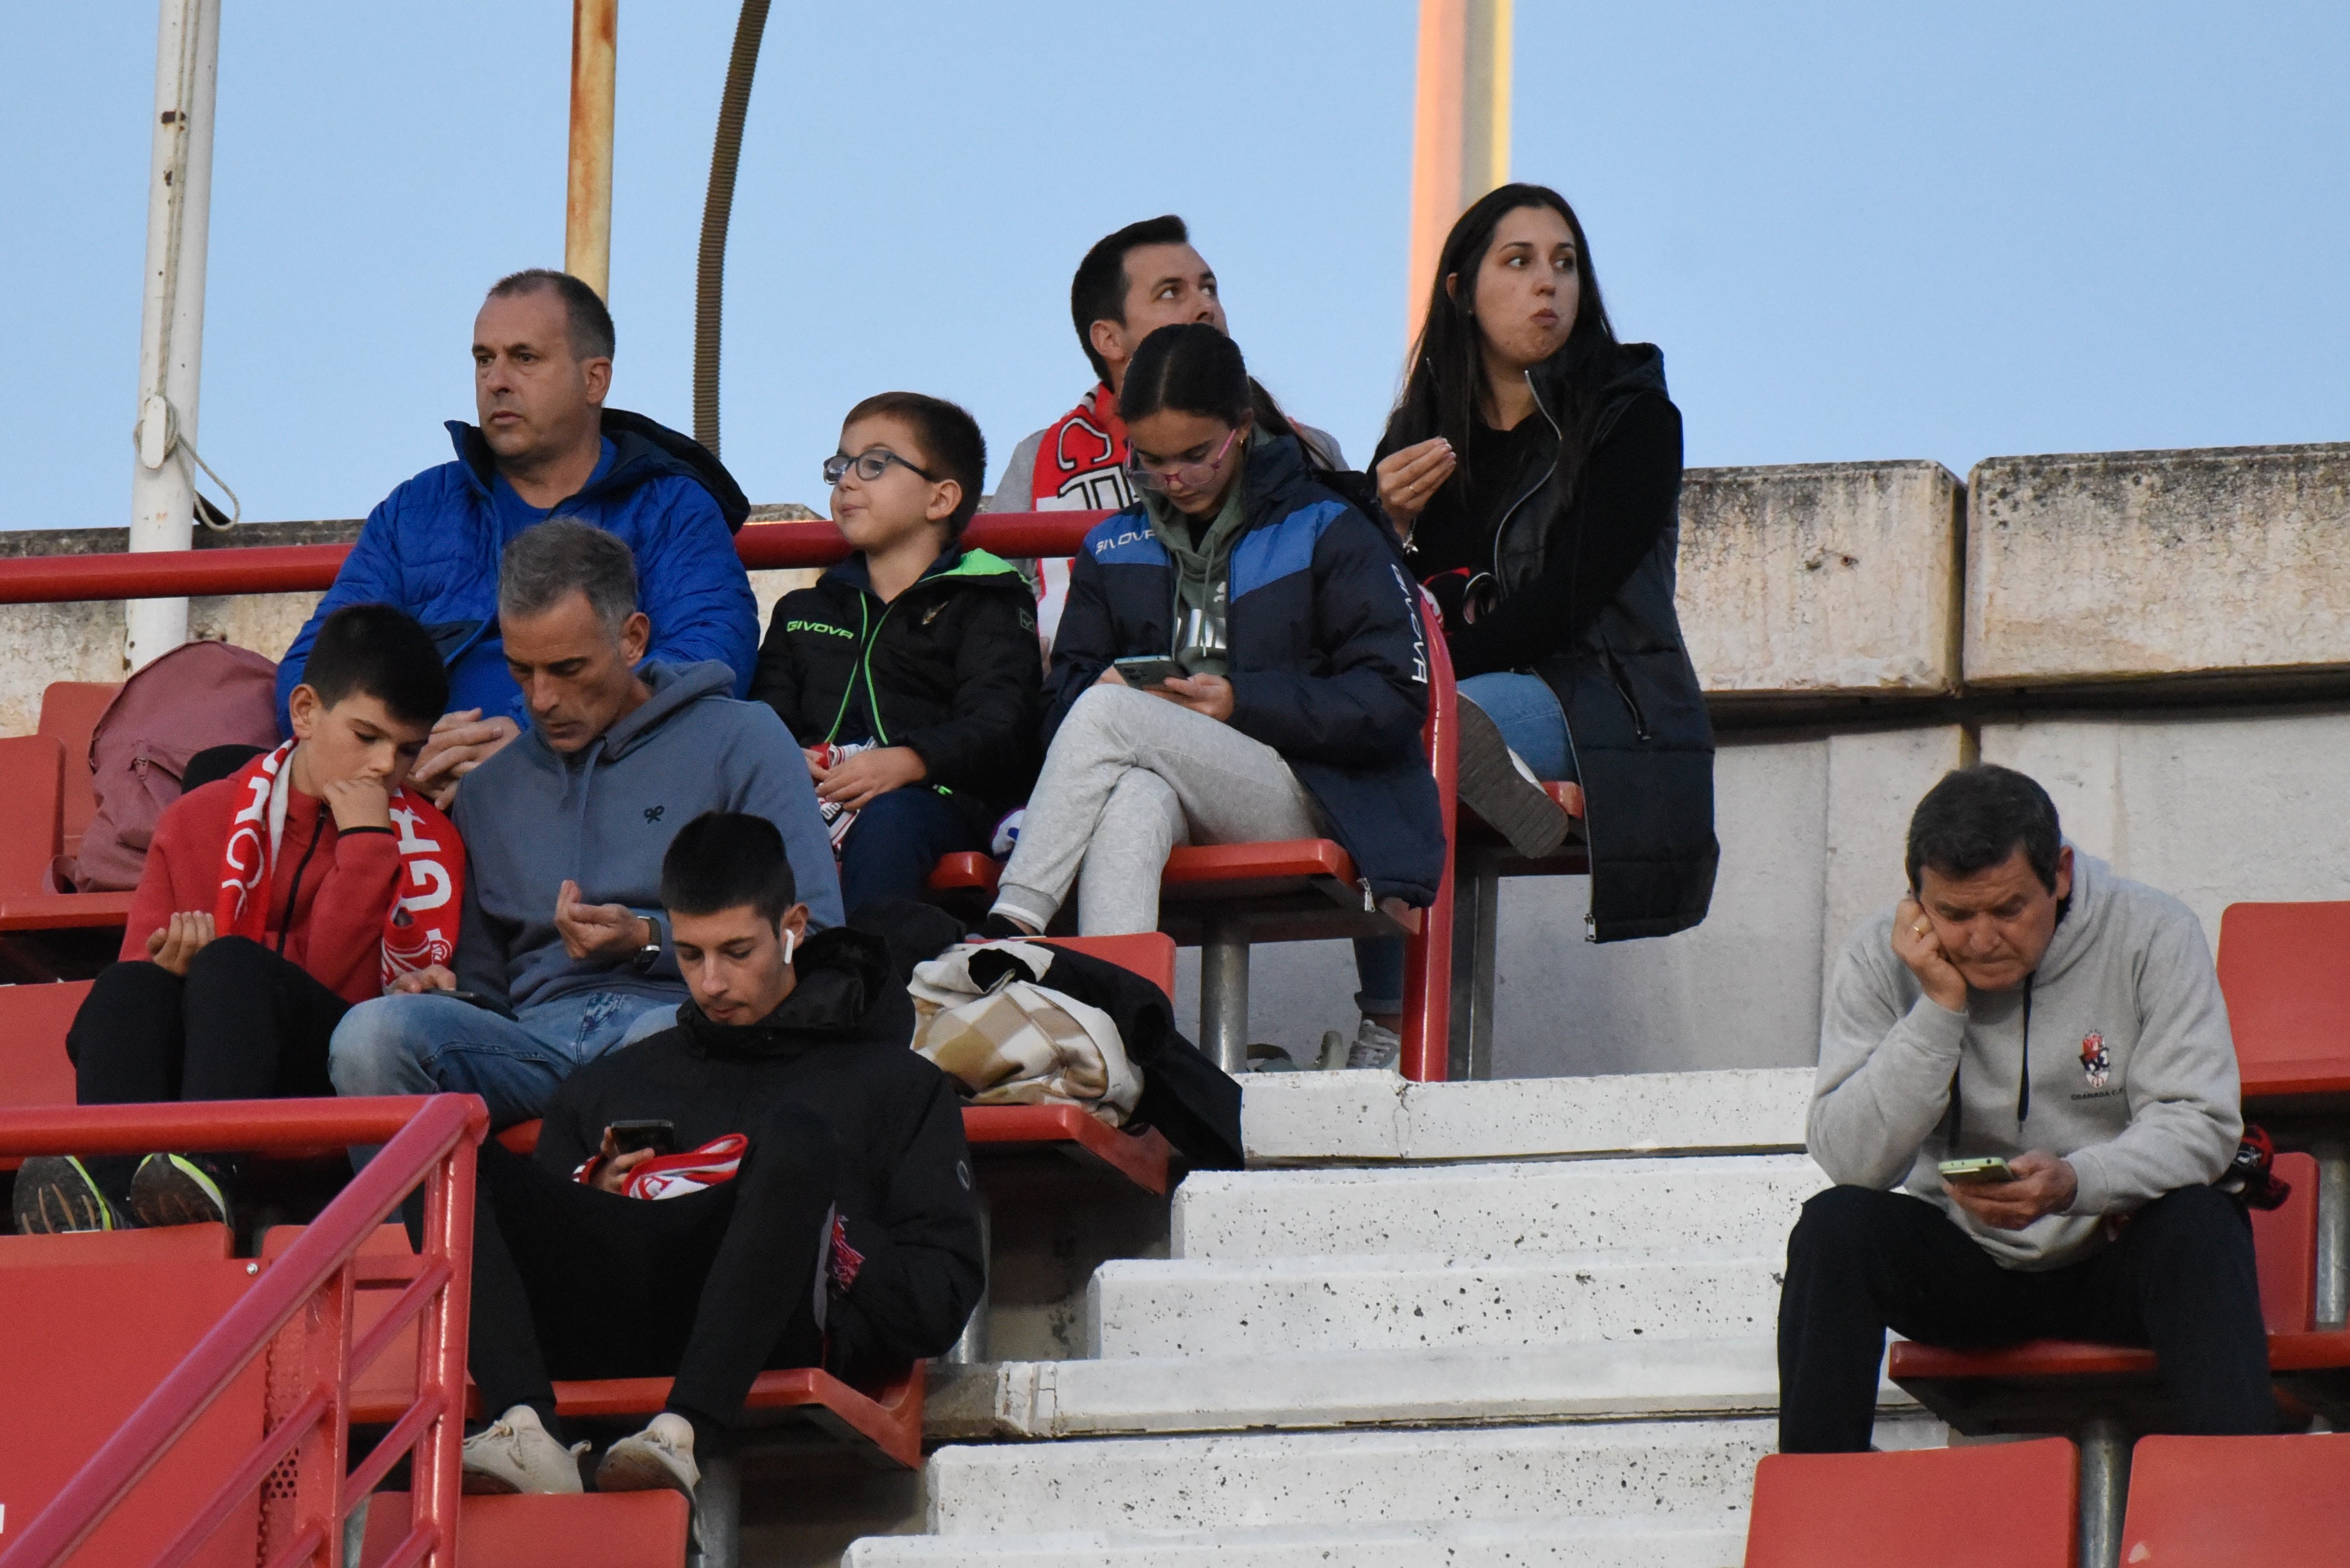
{"type": "Point", "coordinates": [1329, 657]}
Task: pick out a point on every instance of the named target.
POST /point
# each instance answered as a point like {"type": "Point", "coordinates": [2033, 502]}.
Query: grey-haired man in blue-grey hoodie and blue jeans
{"type": "Point", "coordinates": [563, 953]}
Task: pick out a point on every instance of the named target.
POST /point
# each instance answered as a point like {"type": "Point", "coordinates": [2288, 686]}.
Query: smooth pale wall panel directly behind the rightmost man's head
{"type": "Point", "coordinates": [2213, 810]}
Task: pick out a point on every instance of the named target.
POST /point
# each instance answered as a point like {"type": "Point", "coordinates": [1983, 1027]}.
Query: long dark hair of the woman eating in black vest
{"type": "Point", "coordinates": [1446, 389]}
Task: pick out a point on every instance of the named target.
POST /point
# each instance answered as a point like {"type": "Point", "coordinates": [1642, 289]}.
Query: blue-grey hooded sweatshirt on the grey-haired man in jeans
{"type": "Point", "coordinates": [605, 815]}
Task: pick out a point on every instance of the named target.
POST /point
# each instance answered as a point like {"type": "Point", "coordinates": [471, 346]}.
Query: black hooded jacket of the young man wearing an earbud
{"type": "Point", "coordinates": [838, 1047]}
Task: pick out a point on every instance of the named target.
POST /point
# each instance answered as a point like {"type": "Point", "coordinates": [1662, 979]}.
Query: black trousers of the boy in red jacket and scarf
{"type": "Point", "coordinates": [243, 1026]}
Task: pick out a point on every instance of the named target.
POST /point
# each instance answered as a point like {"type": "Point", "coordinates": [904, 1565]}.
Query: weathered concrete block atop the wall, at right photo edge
{"type": "Point", "coordinates": [2158, 563]}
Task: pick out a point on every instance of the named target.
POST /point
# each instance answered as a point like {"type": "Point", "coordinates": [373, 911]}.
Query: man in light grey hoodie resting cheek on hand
{"type": "Point", "coordinates": [2029, 1005]}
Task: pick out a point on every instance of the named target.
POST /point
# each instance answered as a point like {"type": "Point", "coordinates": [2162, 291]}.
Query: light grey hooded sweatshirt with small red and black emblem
{"type": "Point", "coordinates": [2130, 1068]}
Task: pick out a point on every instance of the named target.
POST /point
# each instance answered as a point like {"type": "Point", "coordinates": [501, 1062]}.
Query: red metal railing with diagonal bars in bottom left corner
{"type": "Point", "coordinates": [424, 1141]}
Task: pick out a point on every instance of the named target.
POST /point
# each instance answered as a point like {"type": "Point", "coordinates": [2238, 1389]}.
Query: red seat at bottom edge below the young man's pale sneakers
{"type": "Point", "coordinates": [584, 1532]}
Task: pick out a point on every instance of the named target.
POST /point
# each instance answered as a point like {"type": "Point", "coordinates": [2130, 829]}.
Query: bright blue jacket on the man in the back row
{"type": "Point", "coordinates": [434, 551]}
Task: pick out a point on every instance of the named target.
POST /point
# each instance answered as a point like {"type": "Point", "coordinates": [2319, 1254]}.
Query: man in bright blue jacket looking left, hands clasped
{"type": "Point", "coordinates": [546, 448]}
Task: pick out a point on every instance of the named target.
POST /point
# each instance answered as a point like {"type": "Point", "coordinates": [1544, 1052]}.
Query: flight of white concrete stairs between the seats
{"type": "Point", "coordinates": [1470, 1325]}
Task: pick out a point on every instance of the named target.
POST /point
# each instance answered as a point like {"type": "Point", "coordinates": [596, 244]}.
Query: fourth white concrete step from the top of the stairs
{"type": "Point", "coordinates": [1385, 1388]}
